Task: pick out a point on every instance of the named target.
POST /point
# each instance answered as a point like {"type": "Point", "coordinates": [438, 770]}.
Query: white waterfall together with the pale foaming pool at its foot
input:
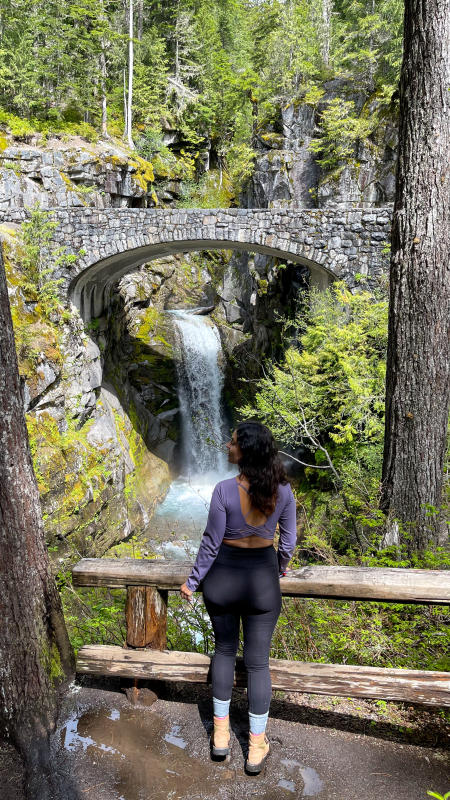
{"type": "Point", "coordinates": [180, 519]}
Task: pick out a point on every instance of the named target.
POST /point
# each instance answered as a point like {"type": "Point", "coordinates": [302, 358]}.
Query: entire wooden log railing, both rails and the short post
{"type": "Point", "coordinates": [148, 582]}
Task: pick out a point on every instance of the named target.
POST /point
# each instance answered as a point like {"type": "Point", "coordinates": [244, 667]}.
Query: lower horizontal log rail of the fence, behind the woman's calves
{"type": "Point", "coordinates": [416, 686]}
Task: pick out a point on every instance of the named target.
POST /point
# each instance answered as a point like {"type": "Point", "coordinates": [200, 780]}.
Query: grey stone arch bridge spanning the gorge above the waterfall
{"type": "Point", "coordinates": [333, 243]}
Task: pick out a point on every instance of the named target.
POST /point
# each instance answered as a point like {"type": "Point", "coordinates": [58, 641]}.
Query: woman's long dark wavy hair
{"type": "Point", "coordinates": [261, 464]}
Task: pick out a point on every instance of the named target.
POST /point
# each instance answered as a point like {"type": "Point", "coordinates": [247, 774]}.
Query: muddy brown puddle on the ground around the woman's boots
{"type": "Point", "coordinates": [121, 752]}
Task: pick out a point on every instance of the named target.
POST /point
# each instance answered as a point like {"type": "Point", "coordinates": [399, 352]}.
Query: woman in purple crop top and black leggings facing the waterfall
{"type": "Point", "coordinates": [239, 571]}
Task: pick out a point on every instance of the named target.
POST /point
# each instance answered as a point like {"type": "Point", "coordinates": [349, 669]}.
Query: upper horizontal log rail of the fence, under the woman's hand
{"type": "Point", "coordinates": [355, 583]}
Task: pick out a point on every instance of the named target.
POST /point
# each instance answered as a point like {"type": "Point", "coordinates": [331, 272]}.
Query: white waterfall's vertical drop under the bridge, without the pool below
{"type": "Point", "coordinates": [200, 382]}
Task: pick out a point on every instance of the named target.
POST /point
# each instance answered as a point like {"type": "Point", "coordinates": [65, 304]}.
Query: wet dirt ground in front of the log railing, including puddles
{"type": "Point", "coordinates": [108, 748]}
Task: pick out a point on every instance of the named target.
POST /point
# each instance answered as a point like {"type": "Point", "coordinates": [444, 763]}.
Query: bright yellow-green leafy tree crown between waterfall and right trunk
{"type": "Point", "coordinates": [334, 379]}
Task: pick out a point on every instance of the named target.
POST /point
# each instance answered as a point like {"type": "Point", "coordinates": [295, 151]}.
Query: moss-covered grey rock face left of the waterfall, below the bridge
{"type": "Point", "coordinates": [98, 484]}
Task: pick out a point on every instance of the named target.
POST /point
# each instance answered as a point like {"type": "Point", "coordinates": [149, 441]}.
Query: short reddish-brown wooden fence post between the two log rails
{"type": "Point", "coordinates": [146, 617]}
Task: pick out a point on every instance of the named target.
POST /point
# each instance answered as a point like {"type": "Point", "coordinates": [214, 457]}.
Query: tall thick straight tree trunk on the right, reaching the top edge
{"type": "Point", "coordinates": [417, 381]}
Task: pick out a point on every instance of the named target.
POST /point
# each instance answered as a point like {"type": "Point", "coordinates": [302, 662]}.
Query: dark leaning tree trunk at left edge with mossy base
{"type": "Point", "coordinates": [35, 653]}
